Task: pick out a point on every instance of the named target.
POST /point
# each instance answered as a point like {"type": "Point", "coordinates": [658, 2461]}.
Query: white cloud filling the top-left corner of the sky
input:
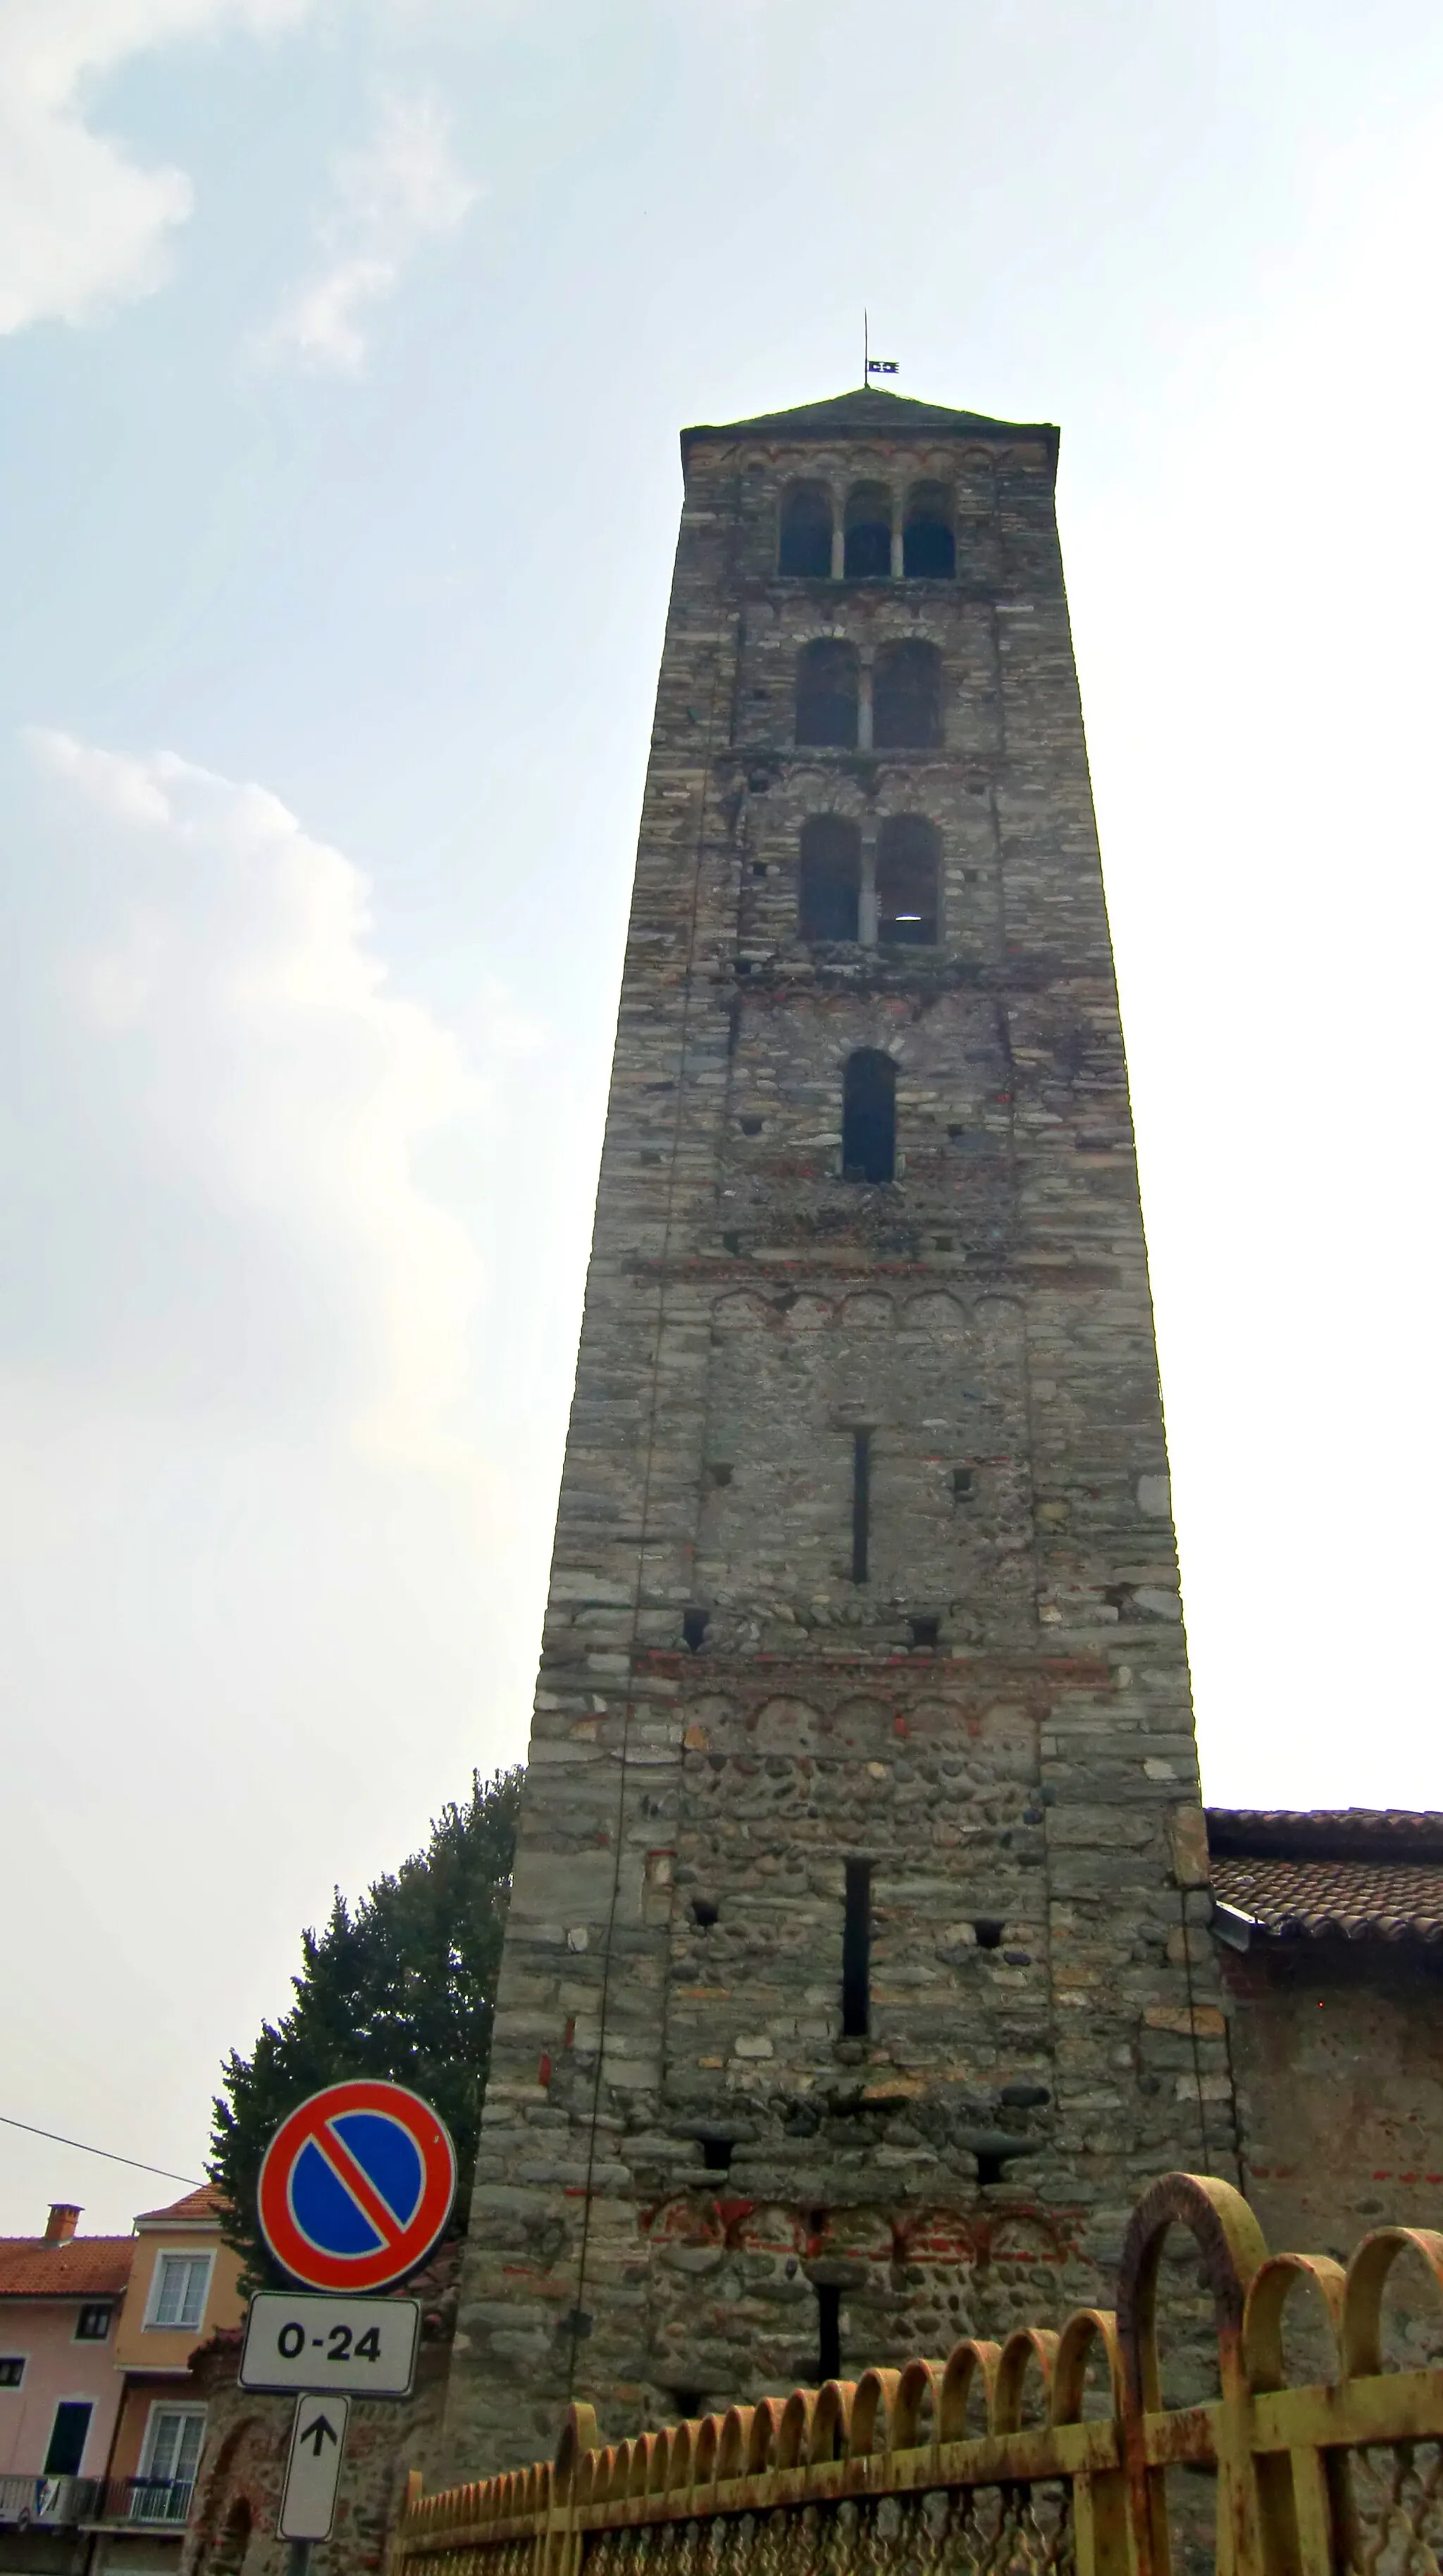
{"type": "Point", "coordinates": [81, 223]}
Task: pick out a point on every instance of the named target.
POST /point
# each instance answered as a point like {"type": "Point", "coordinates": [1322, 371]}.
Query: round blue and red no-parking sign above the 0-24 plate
{"type": "Point", "coordinates": [357, 2186]}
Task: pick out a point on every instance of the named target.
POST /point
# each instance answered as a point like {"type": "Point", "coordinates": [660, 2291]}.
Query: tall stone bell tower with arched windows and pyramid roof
{"type": "Point", "coordinates": [857, 1972]}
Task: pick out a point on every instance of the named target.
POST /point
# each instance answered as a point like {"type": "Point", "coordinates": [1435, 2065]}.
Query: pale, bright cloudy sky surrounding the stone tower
{"type": "Point", "coordinates": [344, 357]}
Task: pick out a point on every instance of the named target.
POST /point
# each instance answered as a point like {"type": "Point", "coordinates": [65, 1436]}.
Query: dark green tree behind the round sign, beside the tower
{"type": "Point", "coordinates": [398, 1987]}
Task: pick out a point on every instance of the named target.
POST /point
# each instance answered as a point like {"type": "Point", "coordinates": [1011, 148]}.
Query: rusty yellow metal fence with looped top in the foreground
{"type": "Point", "coordinates": [1047, 2454]}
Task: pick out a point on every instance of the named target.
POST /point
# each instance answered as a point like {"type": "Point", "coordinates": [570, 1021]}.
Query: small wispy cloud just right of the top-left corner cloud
{"type": "Point", "coordinates": [393, 197]}
